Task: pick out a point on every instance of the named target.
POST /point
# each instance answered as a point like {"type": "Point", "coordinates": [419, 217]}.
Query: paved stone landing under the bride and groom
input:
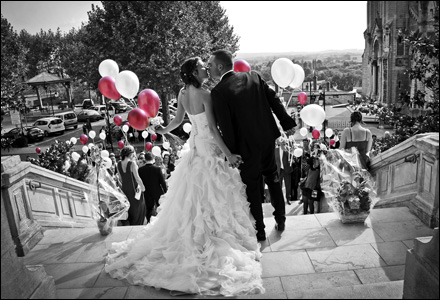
{"type": "Point", "coordinates": [315, 257]}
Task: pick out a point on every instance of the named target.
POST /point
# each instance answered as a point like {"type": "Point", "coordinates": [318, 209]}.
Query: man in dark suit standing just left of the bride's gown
{"type": "Point", "coordinates": [154, 182]}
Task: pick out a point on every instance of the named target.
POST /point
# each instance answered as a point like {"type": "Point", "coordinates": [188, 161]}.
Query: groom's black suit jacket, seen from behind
{"type": "Point", "coordinates": [243, 105]}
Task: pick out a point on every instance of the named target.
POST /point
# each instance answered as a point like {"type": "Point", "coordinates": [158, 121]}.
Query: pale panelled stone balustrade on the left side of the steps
{"type": "Point", "coordinates": [36, 199]}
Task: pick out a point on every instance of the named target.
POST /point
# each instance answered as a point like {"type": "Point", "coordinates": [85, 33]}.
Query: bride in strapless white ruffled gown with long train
{"type": "Point", "coordinates": [203, 240]}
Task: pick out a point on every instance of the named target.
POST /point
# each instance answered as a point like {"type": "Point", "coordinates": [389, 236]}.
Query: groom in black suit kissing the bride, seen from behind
{"type": "Point", "coordinates": [244, 106]}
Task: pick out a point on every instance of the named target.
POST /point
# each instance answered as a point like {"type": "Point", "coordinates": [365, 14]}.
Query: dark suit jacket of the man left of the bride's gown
{"type": "Point", "coordinates": [153, 180]}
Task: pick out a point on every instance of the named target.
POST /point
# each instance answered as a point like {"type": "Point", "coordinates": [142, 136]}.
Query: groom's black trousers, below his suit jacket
{"type": "Point", "coordinates": [255, 166]}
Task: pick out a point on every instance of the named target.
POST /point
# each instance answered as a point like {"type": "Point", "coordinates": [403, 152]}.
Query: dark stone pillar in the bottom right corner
{"type": "Point", "coordinates": [421, 270]}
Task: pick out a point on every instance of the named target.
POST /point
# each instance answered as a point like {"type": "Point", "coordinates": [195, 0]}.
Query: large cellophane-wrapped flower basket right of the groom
{"type": "Point", "coordinates": [349, 189]}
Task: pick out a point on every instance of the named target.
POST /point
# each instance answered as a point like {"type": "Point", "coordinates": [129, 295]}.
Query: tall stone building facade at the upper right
{"type": "Point", "coordinates": [386, 57]}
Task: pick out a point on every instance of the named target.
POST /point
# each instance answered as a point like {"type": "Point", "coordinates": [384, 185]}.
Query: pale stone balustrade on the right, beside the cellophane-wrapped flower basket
{"type": "Point", "coordinates": [408, 175]}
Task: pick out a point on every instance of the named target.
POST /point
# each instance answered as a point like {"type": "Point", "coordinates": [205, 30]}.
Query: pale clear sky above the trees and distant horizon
{"type": "Point", "coordinates": [263, 26]}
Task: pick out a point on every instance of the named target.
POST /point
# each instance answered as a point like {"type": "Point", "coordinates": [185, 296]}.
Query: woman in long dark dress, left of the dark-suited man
{"type": "Point", "coordinates": [129, 177]}
